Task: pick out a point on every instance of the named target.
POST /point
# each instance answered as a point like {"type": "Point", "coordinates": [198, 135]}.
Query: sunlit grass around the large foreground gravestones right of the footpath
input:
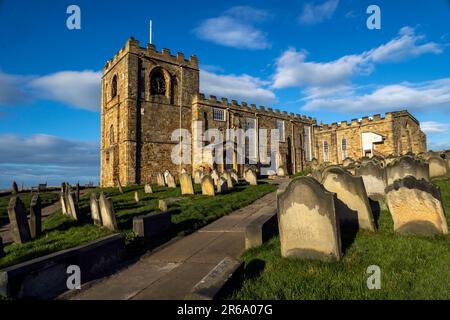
{"type": "Point", "coordinates": [412, 267]}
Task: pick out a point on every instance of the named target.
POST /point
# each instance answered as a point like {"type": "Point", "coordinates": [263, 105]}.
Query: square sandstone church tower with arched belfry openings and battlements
{"type": "Point", "coordinates": [146, 95]}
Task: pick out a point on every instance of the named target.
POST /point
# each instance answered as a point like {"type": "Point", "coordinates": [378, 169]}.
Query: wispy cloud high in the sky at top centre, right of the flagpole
{"type": "Point", "coordinates": [235, 28]}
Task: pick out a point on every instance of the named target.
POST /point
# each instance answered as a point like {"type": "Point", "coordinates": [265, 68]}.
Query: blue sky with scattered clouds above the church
{"type": "Point", "coordinates": [310, 57]}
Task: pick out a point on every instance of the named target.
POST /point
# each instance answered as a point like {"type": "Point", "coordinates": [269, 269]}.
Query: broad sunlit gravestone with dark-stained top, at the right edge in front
{"type": "Point", "coordinates": [416, 207]}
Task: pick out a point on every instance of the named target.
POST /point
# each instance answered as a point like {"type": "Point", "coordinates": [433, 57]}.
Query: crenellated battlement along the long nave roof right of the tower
{"type": "Point", "coordinates": [244, 106]}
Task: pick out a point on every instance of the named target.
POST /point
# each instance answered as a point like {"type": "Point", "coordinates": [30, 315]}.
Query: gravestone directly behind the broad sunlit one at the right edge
{"type": "Point", "coordinates": [407, 166]}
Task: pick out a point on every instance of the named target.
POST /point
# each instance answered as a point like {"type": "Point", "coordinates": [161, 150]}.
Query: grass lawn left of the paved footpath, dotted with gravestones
{"type": "Point", "coordinates": [189, 213]}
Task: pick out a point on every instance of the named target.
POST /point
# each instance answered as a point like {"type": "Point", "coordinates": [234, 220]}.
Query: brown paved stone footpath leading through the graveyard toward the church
{"type": "Point", "coordinates": [172, 271]}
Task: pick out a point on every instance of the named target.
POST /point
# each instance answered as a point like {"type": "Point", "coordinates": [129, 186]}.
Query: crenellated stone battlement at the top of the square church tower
{"type": "Point", "coordinates": [133, 46]}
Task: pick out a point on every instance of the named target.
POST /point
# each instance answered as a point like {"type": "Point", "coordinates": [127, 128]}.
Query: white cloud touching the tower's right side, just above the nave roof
{"type": "Point", "coordinates": [240, 87]}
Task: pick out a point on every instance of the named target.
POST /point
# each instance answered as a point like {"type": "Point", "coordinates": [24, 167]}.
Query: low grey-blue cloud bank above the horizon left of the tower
{"type": "Point", "coordinates": [40, 158]}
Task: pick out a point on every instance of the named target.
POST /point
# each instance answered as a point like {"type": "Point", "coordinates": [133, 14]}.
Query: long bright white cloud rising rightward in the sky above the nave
{"type": "Point", "coordinates": [292, 69]}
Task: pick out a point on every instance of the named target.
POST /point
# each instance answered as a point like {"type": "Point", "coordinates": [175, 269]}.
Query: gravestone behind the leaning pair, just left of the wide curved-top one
{"type": "Point", "coordinates": [374, 177]}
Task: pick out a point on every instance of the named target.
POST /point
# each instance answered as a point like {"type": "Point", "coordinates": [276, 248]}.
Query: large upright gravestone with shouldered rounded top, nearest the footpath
{"type": "Point", "coordinates": [307, 221]}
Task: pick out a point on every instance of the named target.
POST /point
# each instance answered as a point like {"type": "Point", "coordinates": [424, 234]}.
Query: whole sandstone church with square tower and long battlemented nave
{"type": "Point", "coordinates": [147, 94]}
